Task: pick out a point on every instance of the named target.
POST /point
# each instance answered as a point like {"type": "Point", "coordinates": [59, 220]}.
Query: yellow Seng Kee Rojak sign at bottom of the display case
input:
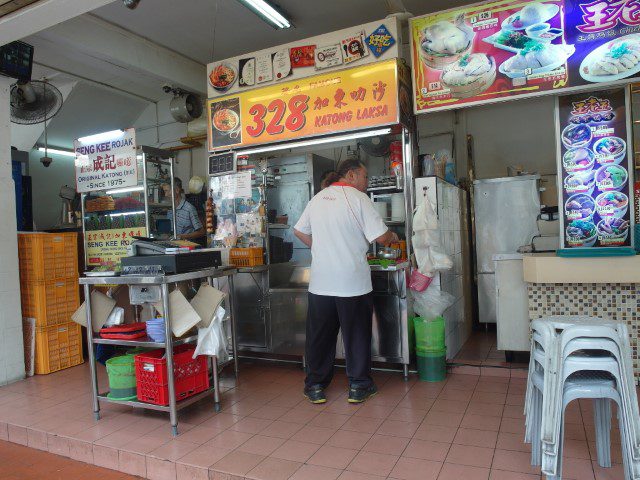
{"type": "Point", "coordinates": [109, 246]}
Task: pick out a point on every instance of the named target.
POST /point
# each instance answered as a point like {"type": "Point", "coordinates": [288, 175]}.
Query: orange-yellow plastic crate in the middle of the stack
{"type": "Point", "coordinates": [50, 303]}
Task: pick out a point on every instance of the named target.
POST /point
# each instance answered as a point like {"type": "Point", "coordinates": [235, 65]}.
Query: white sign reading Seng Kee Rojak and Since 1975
{"type": "Point", "coordinates": [106, 164]}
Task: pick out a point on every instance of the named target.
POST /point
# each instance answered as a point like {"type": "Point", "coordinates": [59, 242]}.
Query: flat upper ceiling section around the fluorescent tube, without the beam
{"type": "Point", "coordinates": [188, 26]}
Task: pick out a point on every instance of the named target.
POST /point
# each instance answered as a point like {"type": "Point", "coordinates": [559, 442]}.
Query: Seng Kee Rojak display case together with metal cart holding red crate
{"type": "Point", "coordinates": [159, 313]}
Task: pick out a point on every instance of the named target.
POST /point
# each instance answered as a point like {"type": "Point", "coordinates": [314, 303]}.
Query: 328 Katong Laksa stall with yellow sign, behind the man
{"type": "Point", "coordinates": [278, 120]}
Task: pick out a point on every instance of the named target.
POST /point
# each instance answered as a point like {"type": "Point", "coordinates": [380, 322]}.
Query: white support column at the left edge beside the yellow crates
{"type": "Point", "coordinates": [11, 342]}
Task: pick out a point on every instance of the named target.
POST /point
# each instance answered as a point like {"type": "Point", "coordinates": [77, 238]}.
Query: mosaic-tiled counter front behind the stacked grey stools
{"type": "Point", "coordinates": [613, 301]}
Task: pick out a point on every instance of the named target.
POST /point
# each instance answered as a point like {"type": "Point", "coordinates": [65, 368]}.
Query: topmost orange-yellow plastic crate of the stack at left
{"type": "Point", "coordinates": [47, 256]}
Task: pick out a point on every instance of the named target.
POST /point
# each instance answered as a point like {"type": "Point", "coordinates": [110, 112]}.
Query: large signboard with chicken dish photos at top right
{"type": "Point", "coordinates": [494, 51]}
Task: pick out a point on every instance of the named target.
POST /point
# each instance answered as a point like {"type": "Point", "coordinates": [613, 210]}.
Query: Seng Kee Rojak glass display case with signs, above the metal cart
{"type": "Point", "coordinates": [122, 197]}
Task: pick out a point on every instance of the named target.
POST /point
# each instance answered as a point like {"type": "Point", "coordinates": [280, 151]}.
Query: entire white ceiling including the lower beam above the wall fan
{"type": "Point", "coordinates": [113, 89]}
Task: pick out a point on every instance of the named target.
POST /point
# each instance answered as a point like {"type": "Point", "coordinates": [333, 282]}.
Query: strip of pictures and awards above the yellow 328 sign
{"type": "Point", "coordinates": [350, 47]}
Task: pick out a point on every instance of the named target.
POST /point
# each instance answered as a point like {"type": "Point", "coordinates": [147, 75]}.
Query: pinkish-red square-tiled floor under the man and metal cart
{"type": "Point", "coordinates": [466, 428]}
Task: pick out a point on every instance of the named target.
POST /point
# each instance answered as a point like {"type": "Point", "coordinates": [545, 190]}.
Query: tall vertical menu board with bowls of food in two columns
{"type": "Point", "coordinates": [594, 168]}
